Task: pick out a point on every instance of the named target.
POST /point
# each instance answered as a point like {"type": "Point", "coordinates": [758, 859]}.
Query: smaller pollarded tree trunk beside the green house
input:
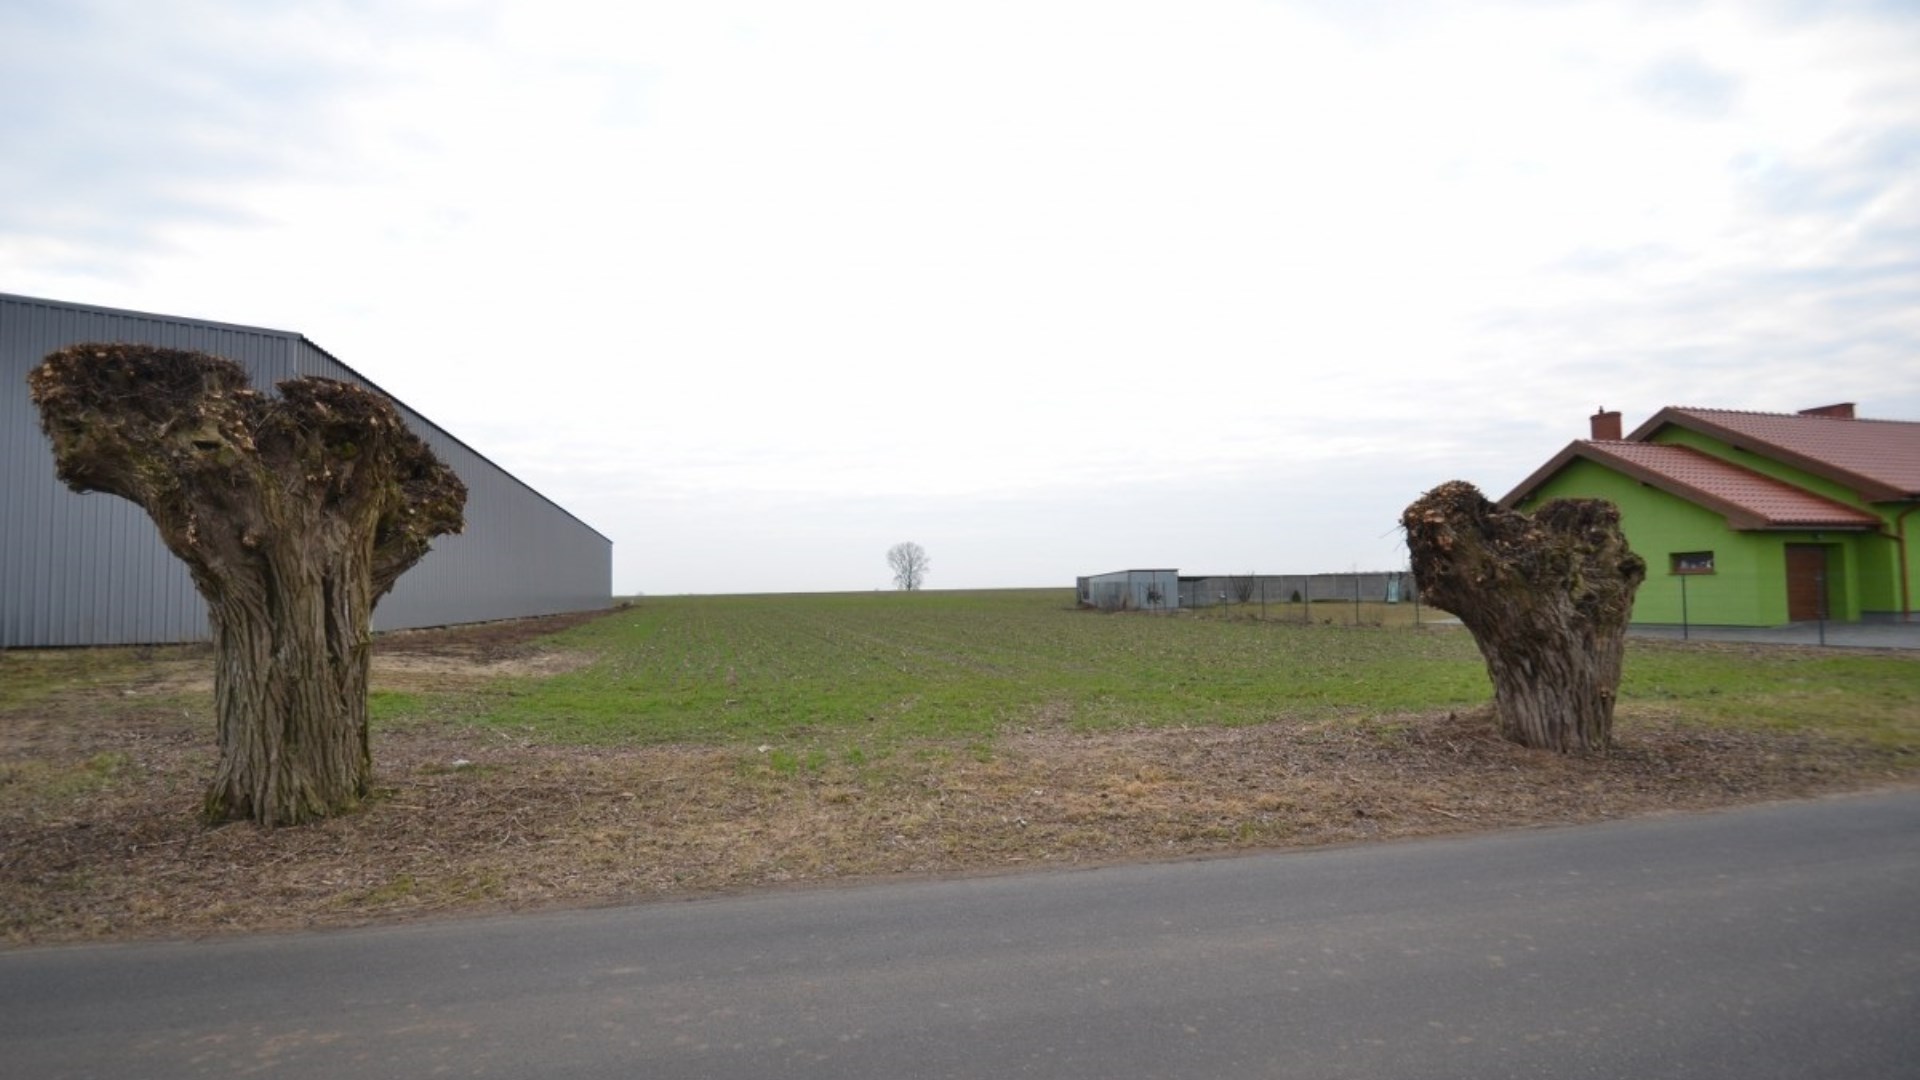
{"type": "Point", "coordinates": [1547, 597]}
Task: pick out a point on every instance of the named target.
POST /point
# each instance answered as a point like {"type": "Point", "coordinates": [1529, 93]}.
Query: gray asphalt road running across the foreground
{"type": "Point", "coordinates": [1775, 943]}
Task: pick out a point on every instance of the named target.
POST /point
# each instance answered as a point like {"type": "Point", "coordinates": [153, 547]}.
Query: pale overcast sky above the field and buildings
{"type": "Point", "coordinates": [761, 289]}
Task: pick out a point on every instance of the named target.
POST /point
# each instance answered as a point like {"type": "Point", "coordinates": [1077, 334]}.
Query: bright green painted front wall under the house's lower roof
{"type": "Point", "coordinates": [1748, 585]}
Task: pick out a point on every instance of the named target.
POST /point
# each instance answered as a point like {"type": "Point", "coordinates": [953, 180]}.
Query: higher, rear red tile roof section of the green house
{"type": "Point", "coordinates": [1881, 460]}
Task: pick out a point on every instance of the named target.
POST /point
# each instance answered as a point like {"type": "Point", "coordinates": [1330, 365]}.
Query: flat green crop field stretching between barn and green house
{"type": "Point", "coordinates": [967, 664]}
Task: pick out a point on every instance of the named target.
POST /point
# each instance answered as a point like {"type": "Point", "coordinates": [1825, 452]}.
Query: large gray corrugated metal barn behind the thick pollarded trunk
{"type": "Point", "coordinates": [91, 570]}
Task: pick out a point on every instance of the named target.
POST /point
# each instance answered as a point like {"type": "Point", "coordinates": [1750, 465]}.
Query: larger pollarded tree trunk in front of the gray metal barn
{"type": "Point", "coordinates": [295, 514]}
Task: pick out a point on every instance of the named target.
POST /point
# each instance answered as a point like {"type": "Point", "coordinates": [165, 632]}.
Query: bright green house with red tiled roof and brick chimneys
{"type": "Point", "coordinates": [1756, 520]}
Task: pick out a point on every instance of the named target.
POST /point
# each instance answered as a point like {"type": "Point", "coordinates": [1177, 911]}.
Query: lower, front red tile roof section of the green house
{"type": "Point", "coordinates": [1746, 499]}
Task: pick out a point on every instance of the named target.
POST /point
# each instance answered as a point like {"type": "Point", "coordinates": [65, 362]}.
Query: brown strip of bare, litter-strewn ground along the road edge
{"type": "Point", "coordinates": [101, 783]}
